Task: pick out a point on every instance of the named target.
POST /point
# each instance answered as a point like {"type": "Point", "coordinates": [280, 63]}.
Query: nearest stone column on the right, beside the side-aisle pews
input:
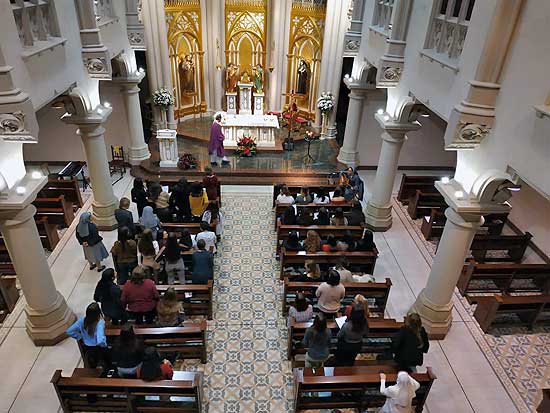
{"type": "Point", "coordinates": [434, 303]}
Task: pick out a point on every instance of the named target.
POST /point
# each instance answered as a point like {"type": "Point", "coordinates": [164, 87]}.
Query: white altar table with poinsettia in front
{"type": "Point", "coordinates": [260, 127]}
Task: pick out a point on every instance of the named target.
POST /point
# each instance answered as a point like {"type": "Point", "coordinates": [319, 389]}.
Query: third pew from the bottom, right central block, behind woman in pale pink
{"type": "Point", "coordinates": [377, 293]}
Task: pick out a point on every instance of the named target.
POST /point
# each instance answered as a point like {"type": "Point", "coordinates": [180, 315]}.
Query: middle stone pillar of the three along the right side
{"type": "Point", "coordinates": [378, 210]}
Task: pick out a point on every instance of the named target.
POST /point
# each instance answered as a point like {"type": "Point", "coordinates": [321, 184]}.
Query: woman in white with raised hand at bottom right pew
{"type": "Point", "coordinates": [398, 397]}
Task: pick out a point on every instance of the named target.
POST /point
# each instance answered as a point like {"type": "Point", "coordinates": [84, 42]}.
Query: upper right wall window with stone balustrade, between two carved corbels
{"type": "Point", "coordinates": [448, 28]}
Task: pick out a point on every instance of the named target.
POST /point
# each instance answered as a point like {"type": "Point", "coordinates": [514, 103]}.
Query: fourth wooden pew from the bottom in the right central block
{"type": "Point", "coordinates": [358, 261]}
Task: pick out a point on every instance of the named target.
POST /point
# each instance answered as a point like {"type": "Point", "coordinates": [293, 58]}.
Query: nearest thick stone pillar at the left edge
{"type": "Point", "coordinates": [48, 315]}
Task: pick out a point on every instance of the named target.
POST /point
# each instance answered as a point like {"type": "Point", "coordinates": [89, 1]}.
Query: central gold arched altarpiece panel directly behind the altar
{"type": "Point", "coordinates": [245, 34]}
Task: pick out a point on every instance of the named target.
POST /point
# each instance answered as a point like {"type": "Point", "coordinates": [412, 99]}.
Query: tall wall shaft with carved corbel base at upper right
{"type": "Point", "coordinates": [472, 119]}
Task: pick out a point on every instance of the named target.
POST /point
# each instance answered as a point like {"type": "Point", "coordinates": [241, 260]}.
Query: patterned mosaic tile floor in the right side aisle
{"type": "Point", "coordinates": [521, 361]}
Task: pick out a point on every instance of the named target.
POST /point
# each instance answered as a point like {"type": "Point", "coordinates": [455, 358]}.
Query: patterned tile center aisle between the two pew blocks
{"type": "Point", "coordinates": [247, 370]}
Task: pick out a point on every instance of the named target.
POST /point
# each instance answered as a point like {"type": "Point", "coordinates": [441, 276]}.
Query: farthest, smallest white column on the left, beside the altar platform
{"type": "Point", "coordinates": [139, 151]}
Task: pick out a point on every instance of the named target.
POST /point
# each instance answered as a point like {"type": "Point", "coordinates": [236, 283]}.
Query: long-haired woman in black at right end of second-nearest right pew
{"type": "Point", "coordinates": [410, 343]}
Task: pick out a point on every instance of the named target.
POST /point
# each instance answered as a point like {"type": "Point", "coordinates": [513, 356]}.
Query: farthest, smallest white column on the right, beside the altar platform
{"type": "Point", "coordinates": [348, 152]}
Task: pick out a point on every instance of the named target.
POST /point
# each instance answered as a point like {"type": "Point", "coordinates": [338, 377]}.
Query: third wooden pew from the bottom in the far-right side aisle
{"type": "Point", "coordinates": [514, 245]}
